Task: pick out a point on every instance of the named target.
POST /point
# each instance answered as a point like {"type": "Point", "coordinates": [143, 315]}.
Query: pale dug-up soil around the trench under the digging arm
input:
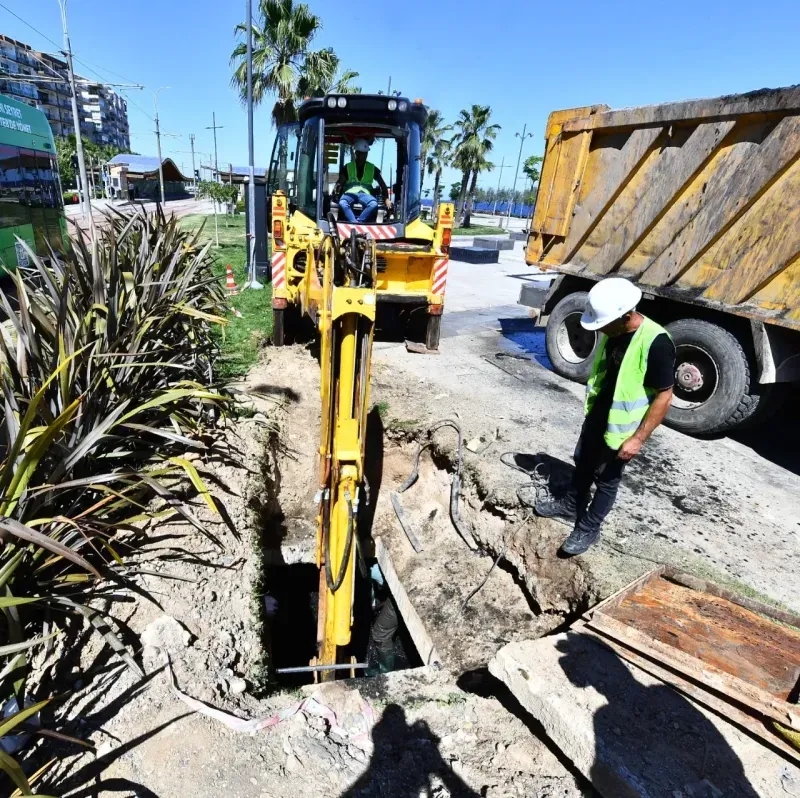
{"type": "Point", "coordinates": [447, 732]}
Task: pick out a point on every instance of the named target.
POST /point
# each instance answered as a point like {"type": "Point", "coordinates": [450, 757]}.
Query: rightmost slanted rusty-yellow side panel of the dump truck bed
{"type": "Point", "coordinates": [763, 242]}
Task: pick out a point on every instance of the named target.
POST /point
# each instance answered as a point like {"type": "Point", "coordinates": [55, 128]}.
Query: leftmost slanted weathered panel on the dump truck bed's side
{"type": "Point", "coordinates": [613, 172]}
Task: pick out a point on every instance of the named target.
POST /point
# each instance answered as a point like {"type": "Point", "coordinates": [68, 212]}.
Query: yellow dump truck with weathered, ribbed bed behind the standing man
{"type": "Point", "coordinates": [697, 202]}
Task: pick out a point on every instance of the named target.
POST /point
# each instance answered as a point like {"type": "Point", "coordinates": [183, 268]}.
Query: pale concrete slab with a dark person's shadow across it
{"type": "Point", "coordinates": [630, 734]}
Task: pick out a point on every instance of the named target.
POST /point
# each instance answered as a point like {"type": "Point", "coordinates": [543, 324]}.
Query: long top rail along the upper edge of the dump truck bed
{"type": "Point", "coordinates": [756, 102]}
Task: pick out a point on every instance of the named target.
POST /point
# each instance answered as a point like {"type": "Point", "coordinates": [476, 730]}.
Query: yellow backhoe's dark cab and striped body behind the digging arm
{"type": "Point", "coordinates": [309, 166]}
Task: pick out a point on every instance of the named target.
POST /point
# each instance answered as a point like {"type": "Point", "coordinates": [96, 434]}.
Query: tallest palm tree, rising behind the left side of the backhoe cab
{"type": "Point", "coordinates": [281, 41]}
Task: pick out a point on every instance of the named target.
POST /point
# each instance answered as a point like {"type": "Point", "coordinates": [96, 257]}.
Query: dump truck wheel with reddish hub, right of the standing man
{"type": "Point", "coordinates": [714, 389]}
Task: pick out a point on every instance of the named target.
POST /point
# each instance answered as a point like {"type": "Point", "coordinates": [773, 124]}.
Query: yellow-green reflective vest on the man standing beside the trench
{"type": "Point", "coordinates": [631, 399]}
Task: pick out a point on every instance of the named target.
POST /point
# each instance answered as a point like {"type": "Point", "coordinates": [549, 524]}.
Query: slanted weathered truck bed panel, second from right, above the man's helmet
{"type": "Point", "coordinates": [729, 192]}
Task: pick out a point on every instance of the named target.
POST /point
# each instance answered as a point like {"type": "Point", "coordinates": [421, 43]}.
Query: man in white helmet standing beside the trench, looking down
{"type": "Point", "coordinates": [627, 397]}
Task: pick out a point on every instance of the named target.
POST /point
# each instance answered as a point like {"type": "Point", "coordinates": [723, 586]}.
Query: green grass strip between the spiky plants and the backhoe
{"type": "Point", "coordinates": [244, 336]}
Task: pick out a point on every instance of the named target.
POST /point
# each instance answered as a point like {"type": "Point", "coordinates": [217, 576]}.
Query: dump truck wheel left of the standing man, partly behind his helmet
{"type": "Point", "coordinates": [569, 346]}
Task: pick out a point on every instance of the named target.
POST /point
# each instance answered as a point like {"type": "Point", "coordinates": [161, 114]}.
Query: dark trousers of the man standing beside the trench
{"type": "Point", "coordinates": [595, 463]}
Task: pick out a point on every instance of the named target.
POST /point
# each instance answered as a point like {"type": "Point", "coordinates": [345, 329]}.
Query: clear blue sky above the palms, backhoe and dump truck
{"type": "Point", "coordinates": [524, 59]}
